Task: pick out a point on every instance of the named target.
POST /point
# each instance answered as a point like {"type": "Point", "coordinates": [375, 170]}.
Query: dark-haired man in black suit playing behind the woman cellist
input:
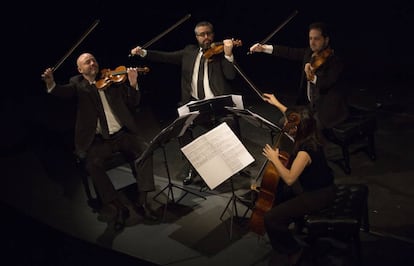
{"type": "Point", "coordinates": [320, 85]}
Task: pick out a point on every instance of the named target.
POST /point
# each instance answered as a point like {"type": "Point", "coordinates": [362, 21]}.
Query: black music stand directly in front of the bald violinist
{"type": "Point", "coordinates": [174, 130]}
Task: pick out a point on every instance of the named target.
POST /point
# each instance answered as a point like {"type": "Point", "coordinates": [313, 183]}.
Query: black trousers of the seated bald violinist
{"type": "Point", "coordinates": [132, 146]}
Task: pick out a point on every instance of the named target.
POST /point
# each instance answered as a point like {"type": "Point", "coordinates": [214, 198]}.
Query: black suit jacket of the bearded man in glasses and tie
{"type": "Point", "coordinates": [220, 71]}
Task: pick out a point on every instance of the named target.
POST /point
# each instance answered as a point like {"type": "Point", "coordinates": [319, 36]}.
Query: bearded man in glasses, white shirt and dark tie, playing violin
{"type": "Point", "coordinates": [217, 72]}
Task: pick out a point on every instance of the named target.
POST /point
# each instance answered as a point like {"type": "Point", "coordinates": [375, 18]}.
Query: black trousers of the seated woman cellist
{"type": "Point", "coordinates": [277, 220]}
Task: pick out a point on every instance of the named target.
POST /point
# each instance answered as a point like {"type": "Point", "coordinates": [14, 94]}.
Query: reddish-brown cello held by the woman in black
{"type": "Point", "coordinates": [270, 179]}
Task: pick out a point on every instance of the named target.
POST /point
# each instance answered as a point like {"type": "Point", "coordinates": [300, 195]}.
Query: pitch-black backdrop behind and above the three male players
{"type": "Point", "coordinates": [374, 40]}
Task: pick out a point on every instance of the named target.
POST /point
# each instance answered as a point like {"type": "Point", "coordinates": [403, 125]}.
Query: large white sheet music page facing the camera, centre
{"type": "Point", "coordinates": [217, 155]}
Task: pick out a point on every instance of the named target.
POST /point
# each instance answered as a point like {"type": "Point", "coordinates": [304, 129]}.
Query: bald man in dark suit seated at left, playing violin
{"type": "Point", "coordinates": [104, 125]}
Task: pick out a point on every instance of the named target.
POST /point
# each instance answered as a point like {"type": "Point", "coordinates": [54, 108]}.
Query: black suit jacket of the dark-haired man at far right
{"type": "Point", "coordinates": [332, 105]}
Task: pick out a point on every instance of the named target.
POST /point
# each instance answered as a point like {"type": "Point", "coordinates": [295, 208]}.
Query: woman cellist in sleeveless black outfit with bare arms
{"type": "Point", "coordinates": [306, 169]}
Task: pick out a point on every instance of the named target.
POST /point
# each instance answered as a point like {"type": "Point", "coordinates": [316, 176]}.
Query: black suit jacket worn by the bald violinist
{"type": "Point", "coordinates": [122, 98]}
